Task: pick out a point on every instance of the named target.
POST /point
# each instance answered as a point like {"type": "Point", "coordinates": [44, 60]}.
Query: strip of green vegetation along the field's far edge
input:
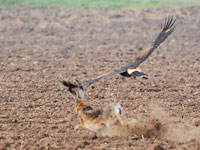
{"type": "Point", "coordinates": [99, 3]}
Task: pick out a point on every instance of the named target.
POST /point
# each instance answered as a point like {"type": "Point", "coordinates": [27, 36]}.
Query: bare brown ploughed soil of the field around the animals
{"type": "Point", "coordinates": [40, 47]}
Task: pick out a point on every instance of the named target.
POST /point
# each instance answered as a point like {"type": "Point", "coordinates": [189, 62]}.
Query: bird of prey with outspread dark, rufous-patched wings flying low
{"type": "Point", "coordinates": [131, 69]}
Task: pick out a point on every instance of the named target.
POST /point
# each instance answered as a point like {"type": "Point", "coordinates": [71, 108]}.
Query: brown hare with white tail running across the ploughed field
{"type": "Point", "coordinates": [95, 119]}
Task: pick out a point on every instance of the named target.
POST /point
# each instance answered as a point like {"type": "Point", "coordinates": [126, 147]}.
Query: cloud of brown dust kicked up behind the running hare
{"type": "Point", "coordinates": [157, 125]}
